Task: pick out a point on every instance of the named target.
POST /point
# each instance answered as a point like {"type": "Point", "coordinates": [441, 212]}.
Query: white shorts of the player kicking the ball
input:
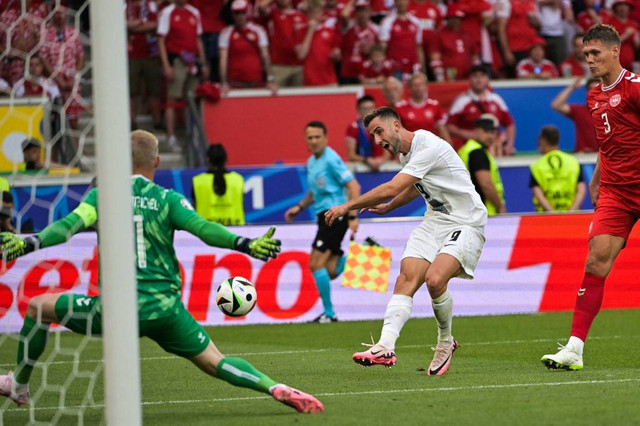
{"type": "Point", "coordinates": [435, 236]}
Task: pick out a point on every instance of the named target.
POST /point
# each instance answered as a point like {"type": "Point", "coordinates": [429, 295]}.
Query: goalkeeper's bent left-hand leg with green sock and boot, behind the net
{"type": "Point", "coordinates": [33, 341]}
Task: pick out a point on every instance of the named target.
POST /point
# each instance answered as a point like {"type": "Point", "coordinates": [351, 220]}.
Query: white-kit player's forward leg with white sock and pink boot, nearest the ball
{"type": "Point", "coordinates": [412, 273]}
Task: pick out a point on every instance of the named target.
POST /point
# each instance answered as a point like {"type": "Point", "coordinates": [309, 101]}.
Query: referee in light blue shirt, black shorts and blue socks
{"type": "Point", "coordinates": [328, 179]}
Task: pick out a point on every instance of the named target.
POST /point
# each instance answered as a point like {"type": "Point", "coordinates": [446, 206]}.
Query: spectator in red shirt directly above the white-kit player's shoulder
{"type": "Point", "coordinates": [420, 112]}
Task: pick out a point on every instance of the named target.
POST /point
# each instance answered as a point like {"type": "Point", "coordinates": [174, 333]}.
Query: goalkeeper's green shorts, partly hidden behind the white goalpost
{"type": "Point", "coordinates": [178, 333]}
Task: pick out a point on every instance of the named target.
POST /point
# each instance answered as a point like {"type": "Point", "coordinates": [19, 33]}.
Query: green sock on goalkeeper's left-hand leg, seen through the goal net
{"type": "Point", "coordinates": [33, 341]}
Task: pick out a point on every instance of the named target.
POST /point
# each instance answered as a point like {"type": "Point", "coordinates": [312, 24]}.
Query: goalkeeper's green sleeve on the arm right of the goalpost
{"type": "Point", "coordinates": [183, 217]}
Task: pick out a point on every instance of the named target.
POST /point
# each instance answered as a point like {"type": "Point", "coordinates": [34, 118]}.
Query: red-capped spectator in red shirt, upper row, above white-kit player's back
{"type": "Point", "coordinates": [452, 51]}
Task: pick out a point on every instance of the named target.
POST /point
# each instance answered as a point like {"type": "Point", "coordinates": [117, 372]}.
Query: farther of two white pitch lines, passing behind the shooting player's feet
{"type": "Point", "coordinates": [301, 351]}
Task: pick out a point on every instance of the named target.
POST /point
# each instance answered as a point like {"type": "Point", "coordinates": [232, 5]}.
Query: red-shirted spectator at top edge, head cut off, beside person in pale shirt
{"type": "Point", "coordinates": [516, 33]}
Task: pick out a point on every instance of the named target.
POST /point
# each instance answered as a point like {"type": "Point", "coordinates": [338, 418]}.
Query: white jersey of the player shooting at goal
{"type": "Point", "coordinates": [444, 182]}
